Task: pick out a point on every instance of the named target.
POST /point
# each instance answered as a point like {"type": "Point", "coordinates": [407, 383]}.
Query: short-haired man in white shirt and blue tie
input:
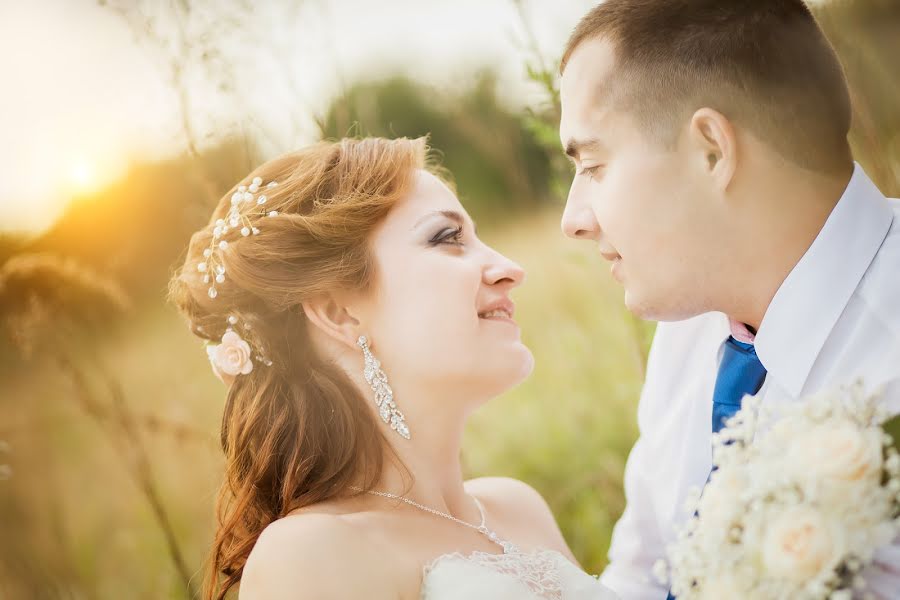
{"type": "Point", "coordinates": [713, 172]}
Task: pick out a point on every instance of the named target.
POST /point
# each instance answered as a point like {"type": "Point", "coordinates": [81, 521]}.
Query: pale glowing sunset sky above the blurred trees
{"type": "Point", "coordinates": [82, 97]}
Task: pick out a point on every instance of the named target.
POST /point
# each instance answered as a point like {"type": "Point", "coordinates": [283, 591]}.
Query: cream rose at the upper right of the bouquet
{"type": "Point", "coordinates": [838, 451]}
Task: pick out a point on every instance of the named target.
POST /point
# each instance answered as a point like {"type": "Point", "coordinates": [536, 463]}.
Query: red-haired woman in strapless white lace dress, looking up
{"type": "Point", "coordinates": [357, 321]}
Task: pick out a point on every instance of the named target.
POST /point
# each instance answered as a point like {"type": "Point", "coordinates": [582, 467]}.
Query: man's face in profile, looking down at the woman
{"type": "Point", "coordinates": [643, 204]}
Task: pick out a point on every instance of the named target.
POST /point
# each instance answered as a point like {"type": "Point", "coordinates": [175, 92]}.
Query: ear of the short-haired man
{"type": "Point", "coordinates": [713, 137]}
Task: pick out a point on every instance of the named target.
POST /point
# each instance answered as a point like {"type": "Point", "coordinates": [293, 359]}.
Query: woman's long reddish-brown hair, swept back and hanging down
{"type": "Point", "coordinates": [296, 431]}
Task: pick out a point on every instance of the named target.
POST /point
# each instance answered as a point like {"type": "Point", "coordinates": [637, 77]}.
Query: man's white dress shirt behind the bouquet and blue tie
{"type": "Point", "coordinates": [835, 317]}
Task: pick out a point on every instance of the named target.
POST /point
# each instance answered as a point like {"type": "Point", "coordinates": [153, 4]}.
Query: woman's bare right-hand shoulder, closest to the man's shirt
{"type": "Point", "coordinates": [521, 508]}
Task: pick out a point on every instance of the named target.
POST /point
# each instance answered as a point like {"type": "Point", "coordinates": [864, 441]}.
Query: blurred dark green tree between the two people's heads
{"type": "Point", "coordinates": [500, 169]}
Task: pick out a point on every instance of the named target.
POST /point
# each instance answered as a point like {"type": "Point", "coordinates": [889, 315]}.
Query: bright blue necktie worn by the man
{"type": "Point", "coordinates": [740, 373]}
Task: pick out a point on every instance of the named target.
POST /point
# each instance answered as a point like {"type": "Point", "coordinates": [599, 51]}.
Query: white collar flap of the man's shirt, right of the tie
{"type": "Point", "coordinates": [809, 302]}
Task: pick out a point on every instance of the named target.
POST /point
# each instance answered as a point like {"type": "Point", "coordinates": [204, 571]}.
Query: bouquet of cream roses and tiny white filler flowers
{"type": "Point", "coordinates": [801, 499]}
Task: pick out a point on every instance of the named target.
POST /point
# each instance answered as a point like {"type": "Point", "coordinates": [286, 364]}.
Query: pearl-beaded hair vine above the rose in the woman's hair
{"type": "Point", "coordinates": [213, 264]}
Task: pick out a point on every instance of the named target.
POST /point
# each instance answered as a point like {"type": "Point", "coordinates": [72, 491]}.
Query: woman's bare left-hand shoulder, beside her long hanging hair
{"type": "Point", "coordinates": [313, 555]}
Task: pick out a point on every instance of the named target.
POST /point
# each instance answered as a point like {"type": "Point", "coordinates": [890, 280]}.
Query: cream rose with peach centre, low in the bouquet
{"type": "Point", "coordinates": [798, 545]}
